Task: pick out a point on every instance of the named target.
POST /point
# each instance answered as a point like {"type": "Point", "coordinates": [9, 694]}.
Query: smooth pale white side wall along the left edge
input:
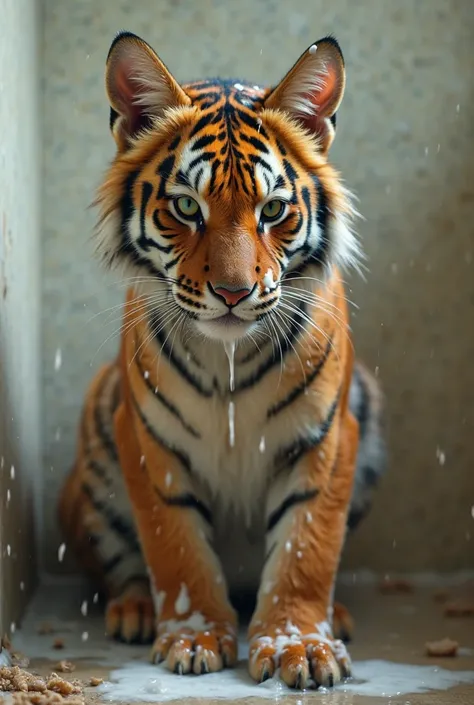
{"type": "Point", "coordinates": [20, 361]}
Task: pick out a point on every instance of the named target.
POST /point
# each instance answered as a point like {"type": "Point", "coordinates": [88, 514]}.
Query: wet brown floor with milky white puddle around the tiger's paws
{"type": "Point", "coordinates": [388, 650]}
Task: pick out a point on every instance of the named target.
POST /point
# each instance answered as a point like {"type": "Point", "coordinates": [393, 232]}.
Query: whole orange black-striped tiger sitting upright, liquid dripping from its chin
{"type": "Point", "coordinates": [217, 453]}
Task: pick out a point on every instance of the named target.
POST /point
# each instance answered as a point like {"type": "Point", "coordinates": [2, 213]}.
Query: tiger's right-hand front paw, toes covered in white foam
{"type": "Point", "coordinates": [303, 660]}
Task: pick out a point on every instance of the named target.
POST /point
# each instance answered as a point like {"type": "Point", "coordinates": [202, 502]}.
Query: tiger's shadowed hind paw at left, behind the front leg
{"type": "Point", "coordinates": [131, 616]}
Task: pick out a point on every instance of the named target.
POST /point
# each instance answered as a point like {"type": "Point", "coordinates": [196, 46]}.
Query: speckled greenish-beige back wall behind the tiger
{"type": "Point", "coordinates": [405, 145]}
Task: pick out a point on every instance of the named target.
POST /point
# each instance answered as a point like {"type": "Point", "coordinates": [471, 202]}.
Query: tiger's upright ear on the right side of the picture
{"type": "Point", "coordinates": [312, 90]}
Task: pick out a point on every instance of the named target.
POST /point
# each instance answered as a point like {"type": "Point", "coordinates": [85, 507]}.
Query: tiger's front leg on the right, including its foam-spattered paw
{"type": "Point", "coordinates": [306, 523]}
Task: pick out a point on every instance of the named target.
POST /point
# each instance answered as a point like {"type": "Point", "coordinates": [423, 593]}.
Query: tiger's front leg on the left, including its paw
{"type": "Point", "coordinates": [196, 625]}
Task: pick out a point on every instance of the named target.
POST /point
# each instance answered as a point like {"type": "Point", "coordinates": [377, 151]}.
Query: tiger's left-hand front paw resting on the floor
{"type": "Point", "coordinates": [199, 652]}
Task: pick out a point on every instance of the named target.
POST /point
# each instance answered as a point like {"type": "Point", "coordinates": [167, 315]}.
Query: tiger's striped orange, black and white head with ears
{"type": "Point", "coordinates": [220, 198]}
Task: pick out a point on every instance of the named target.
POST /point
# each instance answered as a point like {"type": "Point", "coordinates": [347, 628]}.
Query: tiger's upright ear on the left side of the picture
{"type": "Point", "coordinates": [139, 87]}
